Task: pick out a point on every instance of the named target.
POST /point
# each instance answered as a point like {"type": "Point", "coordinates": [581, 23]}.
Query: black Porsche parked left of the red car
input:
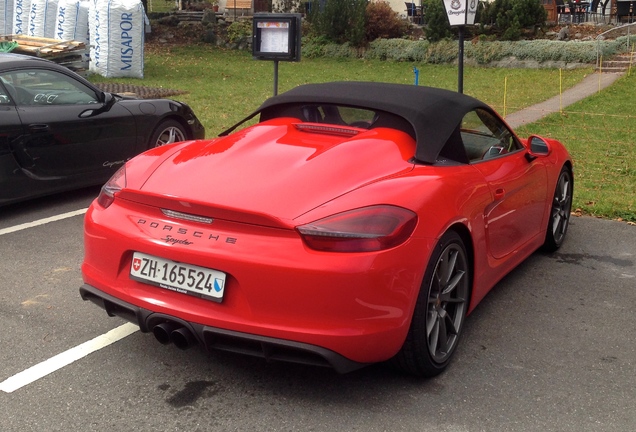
{"type": "Point", "coordinates": [60, 132]}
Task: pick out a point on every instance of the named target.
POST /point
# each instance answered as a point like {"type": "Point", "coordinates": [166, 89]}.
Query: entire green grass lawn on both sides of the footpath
{"type": "Point", "coordinates": [224, 86]}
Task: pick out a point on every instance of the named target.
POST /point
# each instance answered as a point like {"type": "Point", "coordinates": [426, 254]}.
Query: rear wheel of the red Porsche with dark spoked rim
{"type": "Point", "coordinates": [440, 310]}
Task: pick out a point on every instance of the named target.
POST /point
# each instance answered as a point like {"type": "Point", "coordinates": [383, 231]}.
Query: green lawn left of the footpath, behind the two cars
{"type": "Point", "coordinates": [224, 86]}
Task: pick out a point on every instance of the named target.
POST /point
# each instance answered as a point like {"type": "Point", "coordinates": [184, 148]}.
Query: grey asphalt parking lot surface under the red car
{"type": "Point", "coordinates": [551, 348]}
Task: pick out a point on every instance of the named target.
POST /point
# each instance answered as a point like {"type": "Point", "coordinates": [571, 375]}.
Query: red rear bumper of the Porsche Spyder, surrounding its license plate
{"type": "Point", "coordinates": [357, 305]}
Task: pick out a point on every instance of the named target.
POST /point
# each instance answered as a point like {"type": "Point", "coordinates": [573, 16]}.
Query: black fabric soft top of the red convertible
{"type": "Point", "coordinates": [433, 113]}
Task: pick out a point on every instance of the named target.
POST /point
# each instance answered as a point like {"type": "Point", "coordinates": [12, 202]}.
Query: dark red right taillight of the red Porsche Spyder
{"type": "Point", "coordinates": [365, 229]}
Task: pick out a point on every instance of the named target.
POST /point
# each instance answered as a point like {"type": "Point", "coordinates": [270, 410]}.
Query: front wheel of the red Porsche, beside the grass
{"type": "Point", "coordinates": [560, 212]}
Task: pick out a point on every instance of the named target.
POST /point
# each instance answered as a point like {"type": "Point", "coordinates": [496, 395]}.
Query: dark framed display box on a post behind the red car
{"type": "Point", "coordinates": [276, 37]}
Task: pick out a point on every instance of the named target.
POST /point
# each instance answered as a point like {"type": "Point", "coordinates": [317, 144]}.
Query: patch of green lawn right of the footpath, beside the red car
{"type": "Point", "coordinates": [600, 133]}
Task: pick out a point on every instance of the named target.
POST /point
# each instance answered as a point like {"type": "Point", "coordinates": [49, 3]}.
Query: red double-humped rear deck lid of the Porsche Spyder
{"type": "Point", "coordinates": [277, 171]}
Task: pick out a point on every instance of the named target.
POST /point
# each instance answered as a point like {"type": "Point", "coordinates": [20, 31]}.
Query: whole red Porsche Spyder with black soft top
{"type": "Point", "coordinates": [354, 223]}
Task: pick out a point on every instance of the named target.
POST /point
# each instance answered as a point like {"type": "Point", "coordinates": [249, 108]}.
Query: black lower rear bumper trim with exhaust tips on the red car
{"type": "Point", "coordinates": [271, 349]}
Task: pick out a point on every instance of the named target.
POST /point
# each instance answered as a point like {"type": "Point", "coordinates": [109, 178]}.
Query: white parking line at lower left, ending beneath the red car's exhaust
{"type": "Point", "coordinates": [40, 370]}
